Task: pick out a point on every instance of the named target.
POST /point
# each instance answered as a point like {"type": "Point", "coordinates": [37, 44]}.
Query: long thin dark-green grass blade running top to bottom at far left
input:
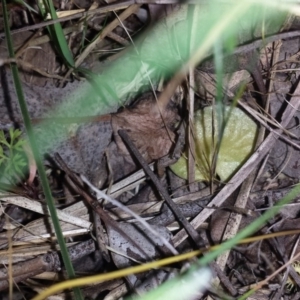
{"type": "Point", "coordinates": [33, 144]}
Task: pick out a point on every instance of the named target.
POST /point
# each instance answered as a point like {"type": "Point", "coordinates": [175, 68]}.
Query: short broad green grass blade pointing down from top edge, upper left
{"type": "Point", "coordinates": [56, 33]}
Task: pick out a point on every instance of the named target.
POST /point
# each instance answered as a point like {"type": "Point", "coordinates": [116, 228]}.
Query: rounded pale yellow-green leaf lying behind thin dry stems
{"type": "Point", "coordinates": [236, 146]}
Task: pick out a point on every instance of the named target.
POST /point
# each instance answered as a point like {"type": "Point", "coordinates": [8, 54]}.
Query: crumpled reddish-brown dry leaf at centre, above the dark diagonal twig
{"type": "Point", "coordinates": [148, 128]}
